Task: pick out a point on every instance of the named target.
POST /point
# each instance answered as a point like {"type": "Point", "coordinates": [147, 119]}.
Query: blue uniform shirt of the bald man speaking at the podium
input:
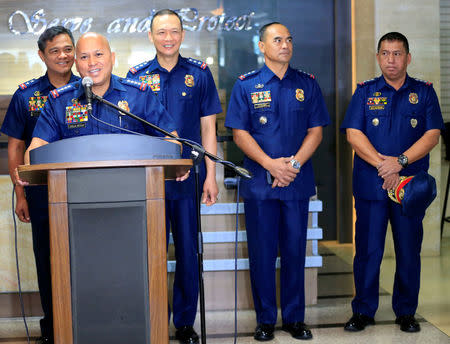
{"type": "Point", "coordinates": [65, 114]}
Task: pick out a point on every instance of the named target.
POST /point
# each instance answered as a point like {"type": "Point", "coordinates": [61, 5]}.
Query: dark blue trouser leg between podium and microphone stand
{"type": "Point", "coordinates": [181, 220]}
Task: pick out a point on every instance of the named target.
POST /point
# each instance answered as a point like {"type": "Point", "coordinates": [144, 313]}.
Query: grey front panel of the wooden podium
{"type": "Point", "coordinates": [108, 256]}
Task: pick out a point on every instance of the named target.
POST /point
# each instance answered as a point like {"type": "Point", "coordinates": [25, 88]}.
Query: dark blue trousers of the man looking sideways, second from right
{"type": "Point", "coordinates": [273, 224]}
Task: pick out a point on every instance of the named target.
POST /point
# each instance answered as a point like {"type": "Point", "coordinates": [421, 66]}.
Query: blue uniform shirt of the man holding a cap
{"type": "Point", "coordinates": [392, 121]}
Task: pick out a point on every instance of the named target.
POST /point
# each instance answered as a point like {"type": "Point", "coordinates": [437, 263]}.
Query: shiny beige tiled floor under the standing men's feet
{"type": "Point", "coordinates": [326, 319]}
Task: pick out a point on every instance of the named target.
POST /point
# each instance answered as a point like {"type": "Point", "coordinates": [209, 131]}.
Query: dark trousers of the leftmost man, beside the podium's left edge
{"type": "Point", "coordinates": [37, 199]}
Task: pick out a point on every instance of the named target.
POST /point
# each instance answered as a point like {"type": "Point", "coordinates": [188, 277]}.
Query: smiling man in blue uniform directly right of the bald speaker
{"type": "Point", "coordinates": [186, 89]}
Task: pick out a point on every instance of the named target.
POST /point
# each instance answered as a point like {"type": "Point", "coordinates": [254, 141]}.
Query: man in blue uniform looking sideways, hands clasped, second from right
{"type": "Point", "coordinates": [277, 114]}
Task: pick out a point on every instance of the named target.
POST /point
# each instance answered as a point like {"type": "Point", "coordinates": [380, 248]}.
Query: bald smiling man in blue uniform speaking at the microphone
{"type": "Point", "coordinates": [65, 114]}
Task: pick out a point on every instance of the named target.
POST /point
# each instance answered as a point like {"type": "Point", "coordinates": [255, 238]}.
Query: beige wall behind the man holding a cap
{"type": "Point", "coordinates": [419, 20]}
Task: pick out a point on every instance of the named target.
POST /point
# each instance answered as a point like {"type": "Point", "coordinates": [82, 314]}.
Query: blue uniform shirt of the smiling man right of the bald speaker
{"type": "Point", "coordinates": [188, 93]}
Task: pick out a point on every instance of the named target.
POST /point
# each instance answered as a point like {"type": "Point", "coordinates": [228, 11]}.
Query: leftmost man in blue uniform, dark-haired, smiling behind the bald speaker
{"type": "Point", "coordinates": [56, 50]}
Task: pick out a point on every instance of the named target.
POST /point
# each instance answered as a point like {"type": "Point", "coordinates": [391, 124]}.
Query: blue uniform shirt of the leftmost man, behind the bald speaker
{"type": "Point", "coordinates": [26, 106]}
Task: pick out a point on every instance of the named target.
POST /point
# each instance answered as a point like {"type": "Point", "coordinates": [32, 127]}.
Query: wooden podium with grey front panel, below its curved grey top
{"type": "Point", "coordinates": [108, 248]}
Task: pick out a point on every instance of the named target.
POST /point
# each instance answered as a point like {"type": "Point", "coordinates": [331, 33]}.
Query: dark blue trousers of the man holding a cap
{"type": "Point", "coordinates": [371, 225]}
